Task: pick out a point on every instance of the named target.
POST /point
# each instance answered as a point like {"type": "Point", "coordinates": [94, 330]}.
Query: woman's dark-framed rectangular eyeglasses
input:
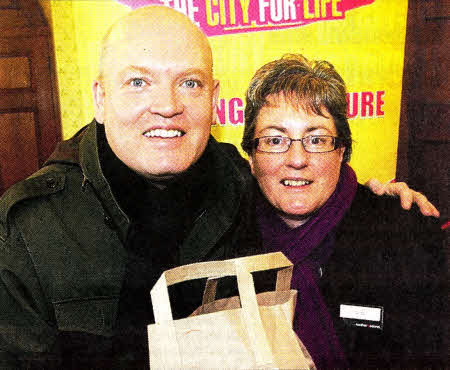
{"type": "Point", "coordinates": [312, 143]}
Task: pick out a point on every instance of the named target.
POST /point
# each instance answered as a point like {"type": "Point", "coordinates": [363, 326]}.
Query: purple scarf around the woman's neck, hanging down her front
{"type": "Point", "coordinates": [312, 323]}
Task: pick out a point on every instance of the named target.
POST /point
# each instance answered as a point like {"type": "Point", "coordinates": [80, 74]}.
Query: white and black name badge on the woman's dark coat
{"type": "Point", "coordinates": [362, 316]}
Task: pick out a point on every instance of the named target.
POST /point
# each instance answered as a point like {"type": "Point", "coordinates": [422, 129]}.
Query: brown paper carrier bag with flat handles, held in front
{"type": "Point", "coordinates": [249, 331]}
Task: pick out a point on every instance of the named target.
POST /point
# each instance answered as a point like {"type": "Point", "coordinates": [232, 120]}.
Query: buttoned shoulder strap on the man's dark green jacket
{"type": "Point", "coordinates": [48, 180]}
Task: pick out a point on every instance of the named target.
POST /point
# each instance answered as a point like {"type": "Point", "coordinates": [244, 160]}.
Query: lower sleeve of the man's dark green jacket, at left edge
{"type": "Point", "coordinates": [26, 332]}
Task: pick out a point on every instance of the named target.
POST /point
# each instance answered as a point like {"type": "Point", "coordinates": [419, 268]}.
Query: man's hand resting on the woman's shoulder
{"type": "Point", "coordinates": [407, 195]}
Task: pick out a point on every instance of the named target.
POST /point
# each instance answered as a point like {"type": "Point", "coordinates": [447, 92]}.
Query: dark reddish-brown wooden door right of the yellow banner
{"type": "Point", "coordinates": [424, 141]}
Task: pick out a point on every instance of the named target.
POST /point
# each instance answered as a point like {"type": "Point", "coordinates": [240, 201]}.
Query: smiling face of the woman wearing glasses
{"type": "Point", "coordinates": [296, 183]}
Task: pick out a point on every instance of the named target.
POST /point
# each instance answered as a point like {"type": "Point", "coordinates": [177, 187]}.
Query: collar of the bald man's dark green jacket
{"type": "Point", "coordinates": [219, 208]}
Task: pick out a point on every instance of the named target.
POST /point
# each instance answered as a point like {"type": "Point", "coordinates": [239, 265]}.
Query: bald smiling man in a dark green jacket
{"type": "Point", "coordinates": [141, 189]}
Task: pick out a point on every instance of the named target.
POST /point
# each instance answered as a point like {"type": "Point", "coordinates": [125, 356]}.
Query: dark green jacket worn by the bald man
{"type": "Point", "coordinates": [62, 235]}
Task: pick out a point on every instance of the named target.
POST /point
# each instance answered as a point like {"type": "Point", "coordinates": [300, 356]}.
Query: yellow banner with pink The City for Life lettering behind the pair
{"type": "Point", "coordinates": [363, 39]}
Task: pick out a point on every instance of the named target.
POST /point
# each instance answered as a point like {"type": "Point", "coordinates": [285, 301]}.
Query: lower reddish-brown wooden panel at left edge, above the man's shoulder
{"type": "Point", "coordinates": [18, 150]}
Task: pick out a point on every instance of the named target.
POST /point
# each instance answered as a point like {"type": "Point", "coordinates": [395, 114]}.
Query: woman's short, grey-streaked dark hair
{"type": "Point", "coordinates": [310, 85]}
